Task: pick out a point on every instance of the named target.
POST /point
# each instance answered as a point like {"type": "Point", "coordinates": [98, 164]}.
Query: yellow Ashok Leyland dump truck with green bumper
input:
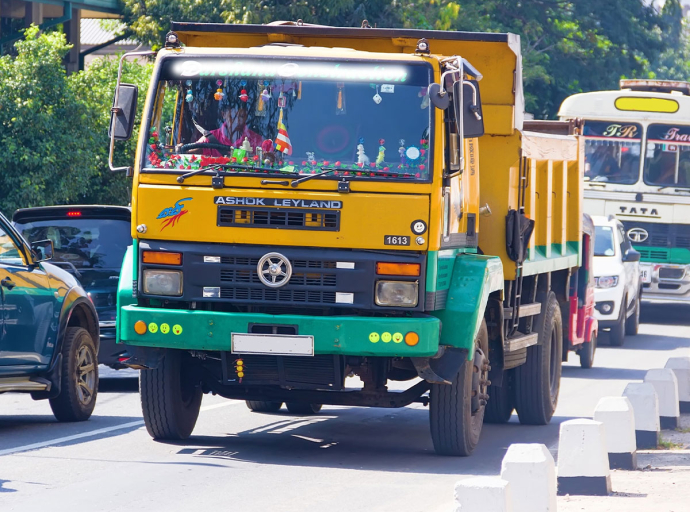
{"type": "Point", "coordinates": [314, 203]}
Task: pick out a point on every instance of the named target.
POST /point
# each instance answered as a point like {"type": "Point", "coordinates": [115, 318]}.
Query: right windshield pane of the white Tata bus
{"type": "Point", "coordinates": [667, 159]}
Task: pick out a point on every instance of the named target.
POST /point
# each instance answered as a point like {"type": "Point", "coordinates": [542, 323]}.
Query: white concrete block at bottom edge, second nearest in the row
{"type": "Point", "coordinates": [531, 473]}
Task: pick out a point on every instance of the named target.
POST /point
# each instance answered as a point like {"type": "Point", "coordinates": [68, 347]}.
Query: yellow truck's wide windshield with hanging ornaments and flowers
{"type": "Point", "coordinates": [370, 120]}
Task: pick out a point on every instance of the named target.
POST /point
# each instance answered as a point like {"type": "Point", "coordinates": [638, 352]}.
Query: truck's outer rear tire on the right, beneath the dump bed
{"type": "Point", "coordinates": [538, 380]}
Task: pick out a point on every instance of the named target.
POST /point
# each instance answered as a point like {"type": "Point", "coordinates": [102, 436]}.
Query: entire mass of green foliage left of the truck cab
{"type": "Point", "coordinates": [54, 127]}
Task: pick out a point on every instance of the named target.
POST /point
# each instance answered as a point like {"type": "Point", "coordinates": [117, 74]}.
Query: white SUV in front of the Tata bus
{"type": "Point", "coordinates": [617, 280]}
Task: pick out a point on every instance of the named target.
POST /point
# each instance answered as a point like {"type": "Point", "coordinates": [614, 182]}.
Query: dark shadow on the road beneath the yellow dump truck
{"type": "Point", "coordinates": [353, 438]}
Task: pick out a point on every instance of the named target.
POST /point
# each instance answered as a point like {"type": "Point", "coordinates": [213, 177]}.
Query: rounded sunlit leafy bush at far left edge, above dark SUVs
{"type": "Point", "coordinates": [44, 131]}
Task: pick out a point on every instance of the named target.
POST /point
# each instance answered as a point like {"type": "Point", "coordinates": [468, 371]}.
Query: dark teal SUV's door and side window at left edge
{"type": "Point", "coordinates": [27, 307]}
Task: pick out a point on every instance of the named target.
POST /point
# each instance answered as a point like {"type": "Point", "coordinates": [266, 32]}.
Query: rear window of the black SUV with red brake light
{"type": "Point", "coordinates": [85, 243]}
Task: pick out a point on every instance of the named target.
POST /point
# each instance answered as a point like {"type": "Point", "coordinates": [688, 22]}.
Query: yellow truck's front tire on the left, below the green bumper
{"type": "Point", "coordinates": [170, 399]}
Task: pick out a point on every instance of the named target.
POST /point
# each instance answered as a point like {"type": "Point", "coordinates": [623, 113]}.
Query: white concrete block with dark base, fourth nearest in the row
{"type": "Point", "coordinates": [616, 413]}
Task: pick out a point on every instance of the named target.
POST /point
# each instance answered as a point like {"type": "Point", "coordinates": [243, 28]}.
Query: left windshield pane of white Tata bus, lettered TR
{"type": "Point", "coordinates": [612, 151]}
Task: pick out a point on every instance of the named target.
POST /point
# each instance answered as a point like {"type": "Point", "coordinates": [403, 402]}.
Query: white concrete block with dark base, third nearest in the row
{"type": "Point", "coordinates": [583, 463]}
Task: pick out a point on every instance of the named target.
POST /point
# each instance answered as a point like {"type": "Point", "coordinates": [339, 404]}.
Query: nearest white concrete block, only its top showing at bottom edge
{"type": "Point", "coordinates": [483, 494]}
